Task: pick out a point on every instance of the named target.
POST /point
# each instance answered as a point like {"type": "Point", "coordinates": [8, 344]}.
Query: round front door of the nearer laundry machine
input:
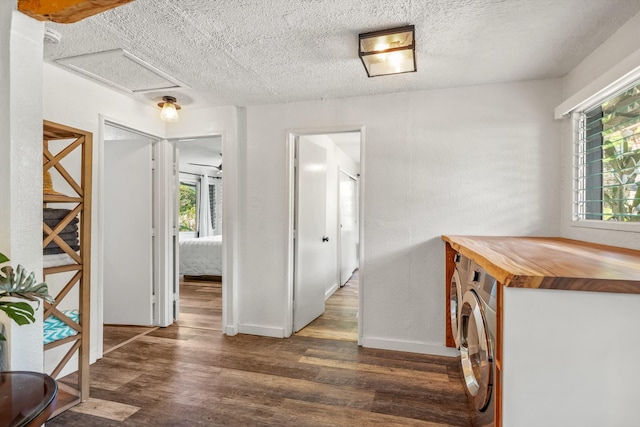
{"type": "Point", "coordinates": [475, 351]}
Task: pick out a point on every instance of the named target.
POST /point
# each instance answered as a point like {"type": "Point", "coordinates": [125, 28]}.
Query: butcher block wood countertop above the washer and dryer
{"type": "Point", "coordinates": [553, 263]}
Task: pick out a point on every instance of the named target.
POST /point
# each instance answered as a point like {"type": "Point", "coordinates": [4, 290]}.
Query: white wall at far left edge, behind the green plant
{"type": "Point", "coordinates": [21, 167]}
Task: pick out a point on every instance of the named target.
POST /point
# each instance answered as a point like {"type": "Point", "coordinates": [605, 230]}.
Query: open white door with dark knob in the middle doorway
{"type": "Point", "coordinates": [312, 262]}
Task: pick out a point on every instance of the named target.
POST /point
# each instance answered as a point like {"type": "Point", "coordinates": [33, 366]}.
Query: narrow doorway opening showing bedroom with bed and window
{"type": "Point", "coordinates": [199, 222]}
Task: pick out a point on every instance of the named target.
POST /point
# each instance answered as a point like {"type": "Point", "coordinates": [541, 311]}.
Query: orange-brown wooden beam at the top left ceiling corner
{"type": "Point", "coordinates": [66, 11]}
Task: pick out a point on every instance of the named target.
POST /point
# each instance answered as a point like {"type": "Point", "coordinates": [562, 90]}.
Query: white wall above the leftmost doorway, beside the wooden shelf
{"type": "Point", "coordinates": [77, 102]}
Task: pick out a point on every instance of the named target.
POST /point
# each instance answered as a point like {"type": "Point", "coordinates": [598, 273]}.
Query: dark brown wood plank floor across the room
{"type": "Point", "coordinates": [190, 374]}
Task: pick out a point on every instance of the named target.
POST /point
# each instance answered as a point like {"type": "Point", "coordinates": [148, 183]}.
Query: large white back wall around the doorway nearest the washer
{"type": "Point", "coordinates": [477, 160]}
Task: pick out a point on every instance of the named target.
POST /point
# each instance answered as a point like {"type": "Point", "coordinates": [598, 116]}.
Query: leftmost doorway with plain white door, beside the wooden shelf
{"type": "Point", "coordinates": [134, 231]}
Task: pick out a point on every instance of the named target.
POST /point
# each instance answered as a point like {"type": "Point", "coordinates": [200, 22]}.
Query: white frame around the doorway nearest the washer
{"type": "Point", "coordinates": [291, 145]}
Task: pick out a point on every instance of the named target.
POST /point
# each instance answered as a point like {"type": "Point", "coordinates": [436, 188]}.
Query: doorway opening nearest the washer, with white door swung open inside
{"type": "Point", "coordinates": [325, 173]}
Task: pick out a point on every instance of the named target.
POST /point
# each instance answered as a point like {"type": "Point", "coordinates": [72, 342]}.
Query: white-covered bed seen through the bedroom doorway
{"type": "Point", "coordinates": [201, 257]}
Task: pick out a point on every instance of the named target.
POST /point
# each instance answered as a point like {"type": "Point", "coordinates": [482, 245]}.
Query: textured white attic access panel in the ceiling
{"type": "Point", "coordinates": [123, 70]}
